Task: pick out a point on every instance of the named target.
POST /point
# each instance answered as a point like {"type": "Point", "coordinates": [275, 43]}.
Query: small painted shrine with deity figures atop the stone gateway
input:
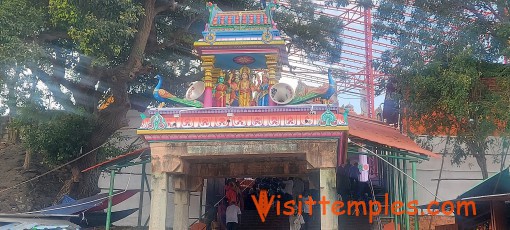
{"type": "Point", "coordinates": [239, 42]}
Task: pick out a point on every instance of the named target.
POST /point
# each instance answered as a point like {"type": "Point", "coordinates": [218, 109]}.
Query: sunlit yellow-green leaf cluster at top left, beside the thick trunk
{"type": "Point", "coordinates": [103, 31]}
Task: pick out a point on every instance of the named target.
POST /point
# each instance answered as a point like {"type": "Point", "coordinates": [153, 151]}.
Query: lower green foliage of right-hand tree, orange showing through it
{"type": "Point", "coordinates": [451, 95]}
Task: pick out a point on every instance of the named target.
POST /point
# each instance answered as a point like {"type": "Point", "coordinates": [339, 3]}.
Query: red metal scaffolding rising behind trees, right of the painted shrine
{"type": "Point", "coordinates": [359, 50]}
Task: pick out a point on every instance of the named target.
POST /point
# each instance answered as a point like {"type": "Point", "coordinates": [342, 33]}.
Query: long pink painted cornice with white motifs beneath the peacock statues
{"type": "Point", "coordinates": [247, 121]}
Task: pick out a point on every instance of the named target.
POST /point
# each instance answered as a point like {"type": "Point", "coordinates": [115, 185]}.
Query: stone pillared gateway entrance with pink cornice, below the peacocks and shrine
{"type": "Point", "coordinates": [288, 148]}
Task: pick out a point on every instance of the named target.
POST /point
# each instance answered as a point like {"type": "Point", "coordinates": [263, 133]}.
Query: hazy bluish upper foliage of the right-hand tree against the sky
{"type": "Point", "coordinates": [445, 27]}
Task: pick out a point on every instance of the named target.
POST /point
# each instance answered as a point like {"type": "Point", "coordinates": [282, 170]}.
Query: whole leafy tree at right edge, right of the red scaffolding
{"type": "Point", "coordinates": [446, 52]}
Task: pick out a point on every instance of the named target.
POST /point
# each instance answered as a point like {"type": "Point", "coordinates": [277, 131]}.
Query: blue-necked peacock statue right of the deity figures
{"type": "Point", "coordinates": [306, 93]}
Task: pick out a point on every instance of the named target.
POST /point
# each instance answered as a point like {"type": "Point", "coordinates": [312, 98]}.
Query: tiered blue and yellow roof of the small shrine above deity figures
{"type": "Point", "coordinates": [241, 38]}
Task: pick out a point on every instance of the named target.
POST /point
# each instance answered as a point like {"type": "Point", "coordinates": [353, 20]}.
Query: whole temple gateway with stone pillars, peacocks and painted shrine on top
{"type": "Point", "coordinates": [240, 121]}
